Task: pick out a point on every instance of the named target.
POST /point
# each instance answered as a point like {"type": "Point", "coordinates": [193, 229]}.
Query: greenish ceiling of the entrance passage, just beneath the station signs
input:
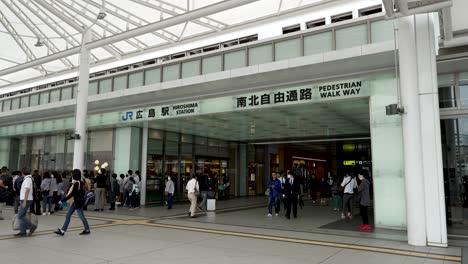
{"type": "Point", "coordinates": [323, 121]}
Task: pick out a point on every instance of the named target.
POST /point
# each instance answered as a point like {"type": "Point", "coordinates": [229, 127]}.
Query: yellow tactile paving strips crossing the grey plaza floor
{"type": "Point", "coordinates": [150, 223]}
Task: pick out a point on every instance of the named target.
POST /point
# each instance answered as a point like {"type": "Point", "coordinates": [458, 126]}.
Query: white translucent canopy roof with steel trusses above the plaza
{"type": "Point", "coordinates": [33, 29]}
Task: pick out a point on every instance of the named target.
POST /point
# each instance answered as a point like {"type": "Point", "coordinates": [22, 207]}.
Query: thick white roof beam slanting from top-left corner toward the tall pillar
{"type": "Point", "coordinates": [35, 30]}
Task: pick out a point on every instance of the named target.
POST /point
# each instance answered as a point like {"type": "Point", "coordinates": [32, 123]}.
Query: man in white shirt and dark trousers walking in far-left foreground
{"type": "Point", "coordinates": [26, 199]}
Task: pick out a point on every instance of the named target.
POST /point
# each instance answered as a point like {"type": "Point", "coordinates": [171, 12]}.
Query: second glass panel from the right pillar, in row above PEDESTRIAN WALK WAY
{"type": "Point", "coordinates": [351, 36]}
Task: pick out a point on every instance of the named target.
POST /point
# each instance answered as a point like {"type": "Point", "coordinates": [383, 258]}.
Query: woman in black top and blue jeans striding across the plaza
{"type": "Point", "coordinates": [76, 192]}
